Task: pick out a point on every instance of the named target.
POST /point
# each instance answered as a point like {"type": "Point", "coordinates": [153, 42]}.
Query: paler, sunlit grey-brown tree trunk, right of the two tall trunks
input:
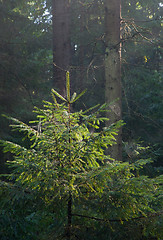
{"type": "Point", "coordinates": [113, 69]}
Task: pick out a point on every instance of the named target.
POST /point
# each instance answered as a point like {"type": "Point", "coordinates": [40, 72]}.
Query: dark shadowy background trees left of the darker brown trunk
{"type": "Point", "coordinates": [25, 60]}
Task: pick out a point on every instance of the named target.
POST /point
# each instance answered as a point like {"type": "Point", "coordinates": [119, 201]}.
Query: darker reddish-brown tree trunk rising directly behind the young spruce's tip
{"type": "Point", "coordinates": [61, 42]}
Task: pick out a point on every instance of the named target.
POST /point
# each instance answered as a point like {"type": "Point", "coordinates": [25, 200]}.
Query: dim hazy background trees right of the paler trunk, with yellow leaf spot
{"type": "Point", "coordinates": [142, 78]}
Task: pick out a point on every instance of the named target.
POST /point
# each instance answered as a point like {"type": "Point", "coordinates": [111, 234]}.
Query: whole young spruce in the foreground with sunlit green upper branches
{"type": "Point", "coordinates": [65, 176]}
